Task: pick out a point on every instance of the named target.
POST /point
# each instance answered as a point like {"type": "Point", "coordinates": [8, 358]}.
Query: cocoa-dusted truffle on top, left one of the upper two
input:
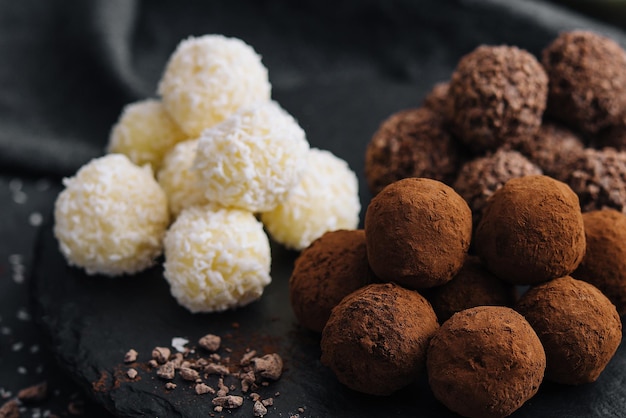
{"type": "Point", "coordinates": [418, 232]}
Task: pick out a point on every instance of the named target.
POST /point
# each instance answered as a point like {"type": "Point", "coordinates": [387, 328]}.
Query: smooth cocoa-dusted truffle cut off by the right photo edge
{"type": "Point", "coordinates": [604, 264]}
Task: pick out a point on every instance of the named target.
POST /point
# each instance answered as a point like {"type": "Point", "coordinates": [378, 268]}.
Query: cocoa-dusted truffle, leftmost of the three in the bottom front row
{"type": "Point", "coordinates": [376, 338]}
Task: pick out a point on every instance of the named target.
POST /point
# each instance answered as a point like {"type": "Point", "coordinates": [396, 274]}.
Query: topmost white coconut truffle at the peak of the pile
{"type": "Point", "coordinates": [209, 77]}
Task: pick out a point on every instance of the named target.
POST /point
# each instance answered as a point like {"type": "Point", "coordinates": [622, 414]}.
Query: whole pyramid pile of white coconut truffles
{"type": "Point", "coordinates": [202, 175]}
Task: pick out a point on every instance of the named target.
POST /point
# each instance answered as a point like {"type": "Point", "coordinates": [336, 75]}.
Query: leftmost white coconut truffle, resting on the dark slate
{"type": "Point", "coordinates": [111, 217]}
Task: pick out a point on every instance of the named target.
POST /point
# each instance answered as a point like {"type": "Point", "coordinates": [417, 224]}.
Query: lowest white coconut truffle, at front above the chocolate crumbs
{"type": "Point", "coordinates": [216, 258]}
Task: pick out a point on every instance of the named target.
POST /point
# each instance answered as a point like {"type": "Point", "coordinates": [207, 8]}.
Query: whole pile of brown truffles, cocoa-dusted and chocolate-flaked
{"type": "Point", "coordinates": [493, 254]}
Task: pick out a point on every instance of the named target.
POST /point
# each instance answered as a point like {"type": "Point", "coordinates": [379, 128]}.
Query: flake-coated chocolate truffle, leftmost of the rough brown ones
{"type": "Point", "coordinates": [411, 143]}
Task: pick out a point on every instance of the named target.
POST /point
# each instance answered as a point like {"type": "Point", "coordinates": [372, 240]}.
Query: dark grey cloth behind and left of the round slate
{"type": "Point", "coordinates": [67, 68]}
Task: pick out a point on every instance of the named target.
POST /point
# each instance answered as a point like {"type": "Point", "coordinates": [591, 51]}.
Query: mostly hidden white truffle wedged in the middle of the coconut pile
{"type": "Point", "coordinates": [179, 181]}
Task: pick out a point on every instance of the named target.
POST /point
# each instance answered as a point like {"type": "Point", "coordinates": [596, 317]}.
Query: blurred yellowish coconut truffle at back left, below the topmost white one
{"type": "Point", "coordinates": [145, 133]}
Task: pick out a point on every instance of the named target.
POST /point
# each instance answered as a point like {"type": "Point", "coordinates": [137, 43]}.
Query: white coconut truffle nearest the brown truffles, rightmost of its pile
{"type": "Point", "coordinates": [326, 199]}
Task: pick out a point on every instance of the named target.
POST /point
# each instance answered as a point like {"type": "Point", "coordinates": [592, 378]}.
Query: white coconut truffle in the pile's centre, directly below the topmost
{"type": "Point", "coordinates": [253, 159]}
